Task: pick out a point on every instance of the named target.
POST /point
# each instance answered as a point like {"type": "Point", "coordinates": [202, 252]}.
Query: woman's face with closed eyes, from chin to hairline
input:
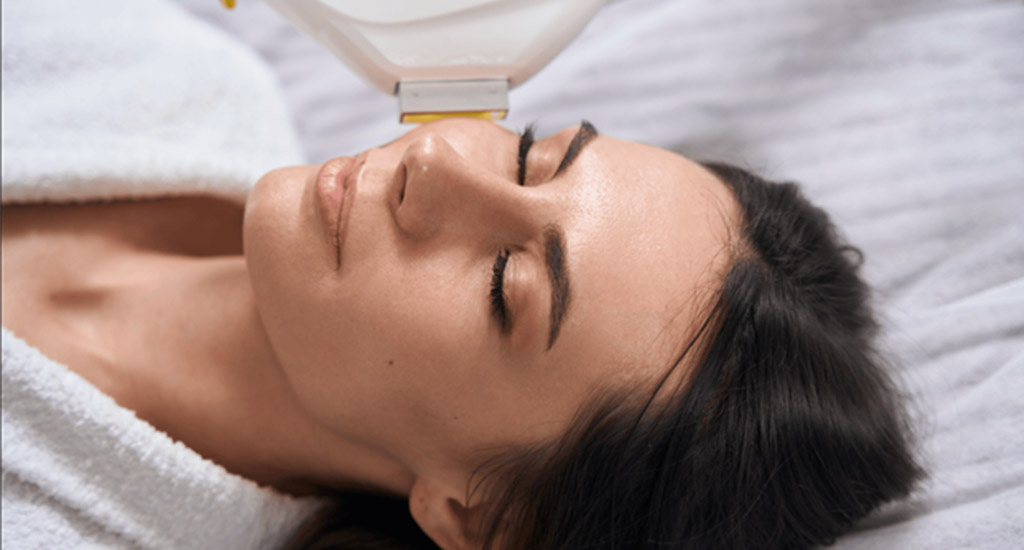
{"type": "Point", "coordinates": [393, 333]}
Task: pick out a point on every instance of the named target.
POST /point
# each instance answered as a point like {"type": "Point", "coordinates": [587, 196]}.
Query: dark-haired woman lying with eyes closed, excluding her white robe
{"type": "Point", "coordinates": [575, 343]}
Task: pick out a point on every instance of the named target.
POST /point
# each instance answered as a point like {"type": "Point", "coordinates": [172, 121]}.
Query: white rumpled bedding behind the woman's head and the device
{"type": "Point", "coordinates": [904, 118]}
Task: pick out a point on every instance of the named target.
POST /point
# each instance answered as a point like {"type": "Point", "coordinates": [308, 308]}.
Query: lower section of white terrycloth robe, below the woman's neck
{"type": "Point", "coordinates": [80, 472]}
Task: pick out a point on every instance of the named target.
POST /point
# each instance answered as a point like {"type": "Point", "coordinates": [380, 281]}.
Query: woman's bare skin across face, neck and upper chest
{"type": "Point", "coordinates": [390, 372]}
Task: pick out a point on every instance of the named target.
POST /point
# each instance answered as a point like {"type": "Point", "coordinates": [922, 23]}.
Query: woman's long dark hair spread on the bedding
{"type": "Point", "coordinates": [787, 432]}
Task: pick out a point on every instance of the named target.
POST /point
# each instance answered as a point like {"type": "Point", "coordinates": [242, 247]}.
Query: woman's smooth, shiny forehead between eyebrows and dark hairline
{"type": "Point", "coordinates": [647, 238]}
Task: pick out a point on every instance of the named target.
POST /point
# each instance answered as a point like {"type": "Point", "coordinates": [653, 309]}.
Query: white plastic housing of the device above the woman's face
{"type": "Point", "coordinates": [389, 43]}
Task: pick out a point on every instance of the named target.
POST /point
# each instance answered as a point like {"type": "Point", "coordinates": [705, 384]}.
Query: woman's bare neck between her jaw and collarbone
{"type": "Point", "coordinates": [201, 368]}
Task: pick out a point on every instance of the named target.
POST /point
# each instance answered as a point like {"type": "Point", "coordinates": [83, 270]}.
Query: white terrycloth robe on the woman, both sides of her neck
{"type": "Point", "coordinates": [107, 100]}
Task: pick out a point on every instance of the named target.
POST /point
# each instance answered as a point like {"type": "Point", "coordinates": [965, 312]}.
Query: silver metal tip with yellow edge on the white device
{"type": "Point", "coordinates": [428, 101]}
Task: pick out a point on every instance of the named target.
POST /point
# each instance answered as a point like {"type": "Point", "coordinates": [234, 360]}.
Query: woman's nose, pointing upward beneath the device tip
{"type": "Point", "coordinates": [444, 194]}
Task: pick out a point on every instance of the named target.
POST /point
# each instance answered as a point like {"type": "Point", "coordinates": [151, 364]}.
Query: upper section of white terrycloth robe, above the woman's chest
{"type": "Point", "coordinates": [110, 99]}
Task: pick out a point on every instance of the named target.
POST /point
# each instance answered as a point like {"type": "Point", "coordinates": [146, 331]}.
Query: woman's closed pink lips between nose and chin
{"type": "Point", "coordinates": [335, 195]}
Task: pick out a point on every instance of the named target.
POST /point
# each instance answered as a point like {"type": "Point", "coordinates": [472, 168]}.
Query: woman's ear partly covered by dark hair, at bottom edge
{"type": "Point", "coordinates": [443, 515]}
